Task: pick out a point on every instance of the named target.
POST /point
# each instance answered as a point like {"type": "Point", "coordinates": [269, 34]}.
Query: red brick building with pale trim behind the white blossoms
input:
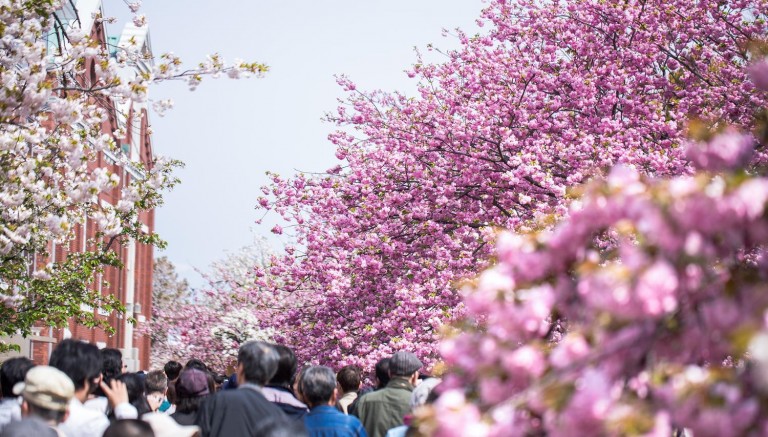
{"type": "Point", "coordinates": [132, 284]}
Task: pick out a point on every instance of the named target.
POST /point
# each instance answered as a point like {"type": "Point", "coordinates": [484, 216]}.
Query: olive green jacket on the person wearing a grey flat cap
{"type": "Point", "coordinates": [384, 409]}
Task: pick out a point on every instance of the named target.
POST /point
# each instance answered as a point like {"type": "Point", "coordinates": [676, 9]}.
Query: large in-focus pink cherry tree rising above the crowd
{"type": "Point", "coordinates": [547, 95]}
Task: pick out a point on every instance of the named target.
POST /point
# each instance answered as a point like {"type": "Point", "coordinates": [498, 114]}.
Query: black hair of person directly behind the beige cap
{"type": "Point", "coordinates": [78, 360]}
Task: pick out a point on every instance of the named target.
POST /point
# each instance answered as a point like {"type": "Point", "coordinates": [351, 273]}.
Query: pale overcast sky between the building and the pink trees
{"type": "Point", "coordinates": [230, 132]}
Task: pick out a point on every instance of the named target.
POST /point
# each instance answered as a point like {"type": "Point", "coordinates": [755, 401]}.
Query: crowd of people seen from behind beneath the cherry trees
{"type": "Point", "coordinates": [85, 391]}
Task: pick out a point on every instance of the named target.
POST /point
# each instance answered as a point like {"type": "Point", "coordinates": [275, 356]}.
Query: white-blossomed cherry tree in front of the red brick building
{"type": "Point", "coordinates": [59, 87]}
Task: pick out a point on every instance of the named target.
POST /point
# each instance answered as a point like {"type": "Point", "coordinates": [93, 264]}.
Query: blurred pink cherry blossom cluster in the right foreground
{"type": "Point", "coordinates": [645, 310]}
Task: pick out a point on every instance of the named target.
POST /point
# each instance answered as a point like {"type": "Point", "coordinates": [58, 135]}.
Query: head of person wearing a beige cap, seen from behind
{"type": "Point", "coordinates": [46, 392]}
